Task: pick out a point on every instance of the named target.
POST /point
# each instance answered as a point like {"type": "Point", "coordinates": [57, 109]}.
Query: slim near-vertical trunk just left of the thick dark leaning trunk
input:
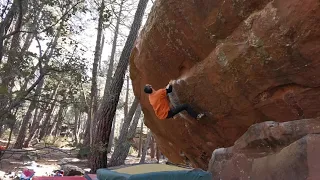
{"type": "Point", "coordinates": [93, 95]}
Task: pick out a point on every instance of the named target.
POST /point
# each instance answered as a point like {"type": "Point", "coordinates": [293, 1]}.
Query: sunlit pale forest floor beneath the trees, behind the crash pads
{"type": "Point", "coordinates": [44, 160]}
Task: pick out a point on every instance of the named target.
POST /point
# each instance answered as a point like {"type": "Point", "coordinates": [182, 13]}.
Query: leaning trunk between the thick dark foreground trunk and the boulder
{"type": "Point", "coordinates": [122, 149]}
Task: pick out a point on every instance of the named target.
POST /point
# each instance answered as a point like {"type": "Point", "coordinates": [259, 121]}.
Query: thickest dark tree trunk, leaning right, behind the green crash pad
{"type": "Point", "coordinates": [105, 118]}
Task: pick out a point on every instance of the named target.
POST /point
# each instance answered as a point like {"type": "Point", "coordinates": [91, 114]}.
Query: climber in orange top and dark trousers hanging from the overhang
{"type": "Point", "coordinates": [160, 103]}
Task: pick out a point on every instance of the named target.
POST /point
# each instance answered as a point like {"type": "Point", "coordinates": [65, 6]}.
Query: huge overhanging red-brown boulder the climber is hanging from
{"type": "Point", "coordinates": [244, 61]}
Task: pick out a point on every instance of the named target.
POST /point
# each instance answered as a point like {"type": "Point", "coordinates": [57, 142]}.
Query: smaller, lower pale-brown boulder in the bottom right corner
{"type": "Point", "coordinates": [271, 151]}
